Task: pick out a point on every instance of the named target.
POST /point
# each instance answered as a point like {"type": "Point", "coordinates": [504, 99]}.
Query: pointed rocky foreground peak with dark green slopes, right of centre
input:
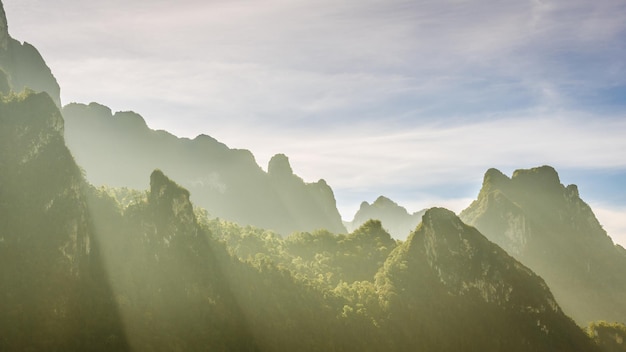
{"type": "Point", "coordinates": [449, 289]}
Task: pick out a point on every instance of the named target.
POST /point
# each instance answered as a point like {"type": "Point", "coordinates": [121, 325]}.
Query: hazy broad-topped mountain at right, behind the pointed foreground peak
{"type": "Point", "coordinates": [546, 226]}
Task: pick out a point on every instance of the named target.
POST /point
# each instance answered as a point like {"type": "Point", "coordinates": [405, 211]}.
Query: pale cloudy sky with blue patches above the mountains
{"type": "Point", "coordinates": [413, 100]}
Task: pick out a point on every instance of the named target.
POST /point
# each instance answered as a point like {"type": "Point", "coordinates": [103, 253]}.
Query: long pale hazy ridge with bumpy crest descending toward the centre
{"type": "Point", "coordinates": [119, 150]}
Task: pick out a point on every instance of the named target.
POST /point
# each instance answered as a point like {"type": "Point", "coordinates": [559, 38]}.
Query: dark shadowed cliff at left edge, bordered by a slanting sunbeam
{"type": "Point", "coordinates": [51, 279]}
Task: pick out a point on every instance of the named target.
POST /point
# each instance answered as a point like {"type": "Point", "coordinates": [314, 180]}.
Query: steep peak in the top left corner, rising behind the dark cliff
{"type": "Point", "coordinates": [24, 65]}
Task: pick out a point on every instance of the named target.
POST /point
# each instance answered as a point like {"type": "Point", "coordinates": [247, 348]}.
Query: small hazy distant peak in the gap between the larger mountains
{"type": "Point", "coordinates": [395, 219]}
